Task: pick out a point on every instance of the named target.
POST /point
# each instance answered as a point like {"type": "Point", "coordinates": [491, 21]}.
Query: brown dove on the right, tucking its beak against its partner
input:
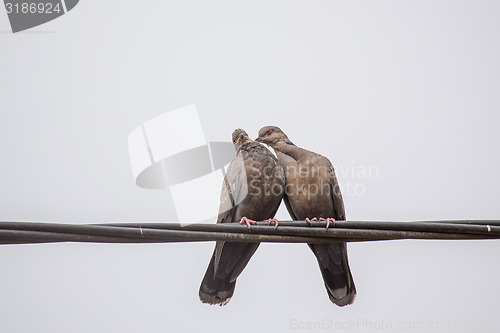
{"type": "Point", "coordinates": [312, 192]}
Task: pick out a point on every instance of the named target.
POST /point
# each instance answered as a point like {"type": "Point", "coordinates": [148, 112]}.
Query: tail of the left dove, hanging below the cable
{"type": "Point", "coordinates": [218, 285]}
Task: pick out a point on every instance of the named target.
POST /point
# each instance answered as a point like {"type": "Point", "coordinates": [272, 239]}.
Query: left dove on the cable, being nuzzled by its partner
{"type": "Point", "coordinates": [252, 191]}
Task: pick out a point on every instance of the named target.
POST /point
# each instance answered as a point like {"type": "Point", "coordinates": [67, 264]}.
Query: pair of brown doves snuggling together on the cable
{"type": "Point", "coordinates": [310, 191]}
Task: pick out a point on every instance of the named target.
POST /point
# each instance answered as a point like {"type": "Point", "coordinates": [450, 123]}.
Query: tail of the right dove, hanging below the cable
{"type": "Point", "coordinates": [332, 260]}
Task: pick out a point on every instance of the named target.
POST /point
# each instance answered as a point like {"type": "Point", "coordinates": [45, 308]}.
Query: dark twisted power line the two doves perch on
{"type": "Point", "coordinates": [287, 232]}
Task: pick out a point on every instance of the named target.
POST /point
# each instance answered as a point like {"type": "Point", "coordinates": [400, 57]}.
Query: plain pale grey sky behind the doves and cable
{"type": "Point", "coordinates": [411, 87]}
